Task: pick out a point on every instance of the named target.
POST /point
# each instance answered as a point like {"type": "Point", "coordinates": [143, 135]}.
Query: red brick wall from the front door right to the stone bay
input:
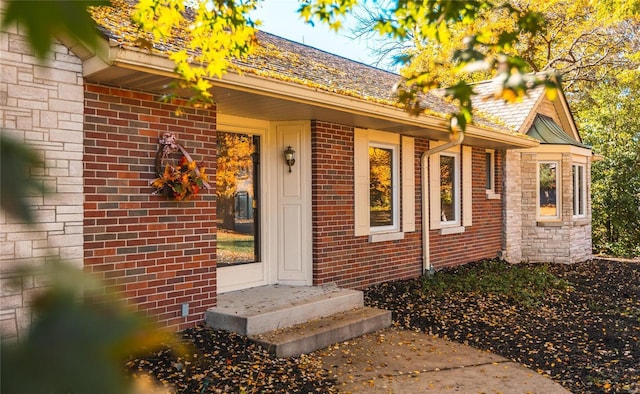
{"type": "Point", "coordinates": [355, 262]}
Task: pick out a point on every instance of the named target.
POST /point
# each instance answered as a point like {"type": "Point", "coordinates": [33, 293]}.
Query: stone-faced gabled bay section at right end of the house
{"type": "Point", "coordinates": [547, 208]}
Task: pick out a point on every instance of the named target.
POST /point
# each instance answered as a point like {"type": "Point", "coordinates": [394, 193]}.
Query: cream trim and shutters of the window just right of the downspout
{"type": "Point", "coordinates": [463, 186]}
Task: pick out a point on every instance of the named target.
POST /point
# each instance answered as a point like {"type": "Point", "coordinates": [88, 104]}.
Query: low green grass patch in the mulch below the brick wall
{"type": "Point", "coordinates": [526, 285]}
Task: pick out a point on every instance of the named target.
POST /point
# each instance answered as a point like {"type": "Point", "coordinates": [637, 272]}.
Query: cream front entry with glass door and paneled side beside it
{"type": "Point", "coordinates": [263, 210]}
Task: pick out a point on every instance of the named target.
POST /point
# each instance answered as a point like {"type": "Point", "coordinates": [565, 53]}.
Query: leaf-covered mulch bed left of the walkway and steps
{"type": "Point", "coordinates": [223, 362]}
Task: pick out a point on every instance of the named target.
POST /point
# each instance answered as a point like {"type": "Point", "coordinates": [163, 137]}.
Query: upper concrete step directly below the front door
{"type": "Point", "coordinates": [263, 309]}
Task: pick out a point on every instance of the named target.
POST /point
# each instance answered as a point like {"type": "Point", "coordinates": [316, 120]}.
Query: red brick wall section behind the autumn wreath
{"type": "Point", "coordinates": [157, 253]}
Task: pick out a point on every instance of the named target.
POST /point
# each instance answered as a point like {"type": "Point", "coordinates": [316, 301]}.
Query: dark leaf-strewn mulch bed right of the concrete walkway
{"type": "Point", "coordinates": [586, 338]}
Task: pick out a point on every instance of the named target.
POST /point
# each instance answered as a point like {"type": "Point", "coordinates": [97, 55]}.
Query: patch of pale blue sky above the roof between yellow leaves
{"type": "Point", "coordinates": [280, 17]}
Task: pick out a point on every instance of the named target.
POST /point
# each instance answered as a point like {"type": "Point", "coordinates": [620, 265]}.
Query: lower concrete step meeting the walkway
{"type": "Point", "coordinates": [323, 332]}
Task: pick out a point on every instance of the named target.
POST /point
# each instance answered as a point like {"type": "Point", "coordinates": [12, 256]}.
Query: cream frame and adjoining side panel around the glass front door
{"type": "Point", "coordinates": [275, 240]}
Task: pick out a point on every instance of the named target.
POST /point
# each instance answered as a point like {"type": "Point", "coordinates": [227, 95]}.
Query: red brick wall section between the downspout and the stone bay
{"type": "Point", "coordinates": [484, 238]}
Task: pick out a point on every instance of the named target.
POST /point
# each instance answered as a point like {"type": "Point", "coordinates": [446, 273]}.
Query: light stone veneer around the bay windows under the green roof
{"type": "Point", "coordinates": [530, 240]}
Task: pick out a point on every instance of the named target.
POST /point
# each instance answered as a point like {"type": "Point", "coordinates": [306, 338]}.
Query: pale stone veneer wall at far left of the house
{"type": "Point", "coordinates": [42, 105]}
